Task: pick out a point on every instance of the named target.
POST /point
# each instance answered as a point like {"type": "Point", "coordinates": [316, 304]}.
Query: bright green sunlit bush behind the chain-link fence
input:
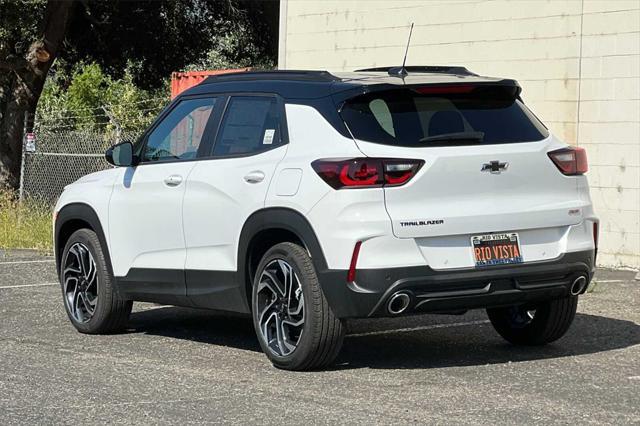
{"type": "Point", "coordinates": [91, 99]}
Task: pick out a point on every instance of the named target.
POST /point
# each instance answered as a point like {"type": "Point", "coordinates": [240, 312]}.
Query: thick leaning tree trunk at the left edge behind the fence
{"type": "Point", "coordinates": [26, 54]}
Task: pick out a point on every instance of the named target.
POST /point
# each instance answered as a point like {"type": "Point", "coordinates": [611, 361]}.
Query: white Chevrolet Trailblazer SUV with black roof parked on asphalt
{"type": "Point", "coordinates": [304, 198]}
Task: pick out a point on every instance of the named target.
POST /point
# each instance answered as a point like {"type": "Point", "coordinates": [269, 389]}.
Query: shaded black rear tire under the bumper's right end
{"type": "Point", "coordinates": [550, 321]}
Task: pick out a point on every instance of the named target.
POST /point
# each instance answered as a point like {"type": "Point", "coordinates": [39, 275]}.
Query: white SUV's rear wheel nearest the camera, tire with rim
{"type": "Point", "coordinates": [318, 340]}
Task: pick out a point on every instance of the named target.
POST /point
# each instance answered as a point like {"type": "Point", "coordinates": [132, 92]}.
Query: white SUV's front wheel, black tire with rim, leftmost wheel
{"type": "Point", "coordinates": [88, 292]}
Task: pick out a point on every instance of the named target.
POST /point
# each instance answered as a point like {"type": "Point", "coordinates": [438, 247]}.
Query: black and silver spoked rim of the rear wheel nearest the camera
{"type": "Point", "coordinates": [280, 307]}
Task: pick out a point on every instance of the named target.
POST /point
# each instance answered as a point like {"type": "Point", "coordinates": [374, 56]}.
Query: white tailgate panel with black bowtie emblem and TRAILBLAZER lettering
{"type": "Point", "coordinates": [451, 194]}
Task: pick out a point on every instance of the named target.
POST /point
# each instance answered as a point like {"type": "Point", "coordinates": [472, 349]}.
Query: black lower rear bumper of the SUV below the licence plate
{"type": "Point", "coordinates": [453, 290]}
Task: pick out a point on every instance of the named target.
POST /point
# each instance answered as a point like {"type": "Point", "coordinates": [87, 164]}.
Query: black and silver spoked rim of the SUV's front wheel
{"type": "Point", "coordinates": [80, 283]}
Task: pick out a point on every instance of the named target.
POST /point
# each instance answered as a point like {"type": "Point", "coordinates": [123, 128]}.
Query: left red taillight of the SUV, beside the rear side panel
{"type": "Point", "coordinates": [366, 172]}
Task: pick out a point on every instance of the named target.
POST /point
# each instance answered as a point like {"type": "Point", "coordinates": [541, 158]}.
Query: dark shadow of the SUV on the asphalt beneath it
{"type": "Point", "coordinates": [421, 348]}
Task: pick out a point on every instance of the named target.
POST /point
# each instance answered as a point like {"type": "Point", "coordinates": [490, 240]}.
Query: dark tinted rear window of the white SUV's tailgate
{"type": "Point", "coordinates": [406, 117]}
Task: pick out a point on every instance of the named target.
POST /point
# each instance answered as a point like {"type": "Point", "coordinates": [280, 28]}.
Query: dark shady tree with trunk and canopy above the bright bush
{"type": "Point", "coordinates": [159, 36]}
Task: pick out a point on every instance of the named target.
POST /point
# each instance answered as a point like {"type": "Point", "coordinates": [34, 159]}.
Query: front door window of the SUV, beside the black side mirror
{"type": "Point", "coordinates": [180, 133]}
